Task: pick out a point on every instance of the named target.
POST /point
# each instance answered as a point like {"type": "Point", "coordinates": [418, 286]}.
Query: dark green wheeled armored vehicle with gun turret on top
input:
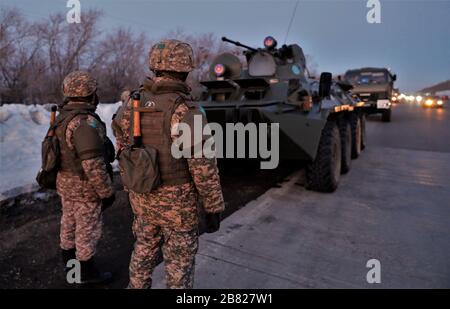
{"type": "Point", "coordinates": [315, 127]}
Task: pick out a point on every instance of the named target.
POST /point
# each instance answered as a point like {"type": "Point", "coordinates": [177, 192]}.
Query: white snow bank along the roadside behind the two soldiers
{"type": "Point", "coordinates": [22, 128]}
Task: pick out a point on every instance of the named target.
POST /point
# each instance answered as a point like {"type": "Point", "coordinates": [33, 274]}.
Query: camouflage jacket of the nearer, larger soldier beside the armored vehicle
{"type": "Point", "coordinates": [174, 205]}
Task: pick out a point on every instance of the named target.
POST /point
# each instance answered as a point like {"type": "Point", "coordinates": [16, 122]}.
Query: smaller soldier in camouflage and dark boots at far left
{"type": "Point", "coordinates": [83, 181]}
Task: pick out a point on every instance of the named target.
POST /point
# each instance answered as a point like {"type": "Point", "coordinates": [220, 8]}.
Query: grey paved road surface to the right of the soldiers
{"type": "Point", "coordinates": [394, 206]}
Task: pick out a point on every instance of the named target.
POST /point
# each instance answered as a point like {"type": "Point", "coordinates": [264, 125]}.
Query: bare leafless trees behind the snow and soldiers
{"type": "Point", "coordinates": [36, 56]}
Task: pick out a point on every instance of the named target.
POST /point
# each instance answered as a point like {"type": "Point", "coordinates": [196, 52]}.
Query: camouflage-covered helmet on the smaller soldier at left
{"type": "Point", "coordinates": [79, 84]}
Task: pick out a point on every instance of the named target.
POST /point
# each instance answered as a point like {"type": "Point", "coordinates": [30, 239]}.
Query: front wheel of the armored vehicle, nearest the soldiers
{"type": "Point", "coordinates": [324, 172]}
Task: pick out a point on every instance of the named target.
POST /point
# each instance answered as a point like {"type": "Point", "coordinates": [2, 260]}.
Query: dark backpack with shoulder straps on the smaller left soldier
{"type": "Point", "coordinates": [51, 151]}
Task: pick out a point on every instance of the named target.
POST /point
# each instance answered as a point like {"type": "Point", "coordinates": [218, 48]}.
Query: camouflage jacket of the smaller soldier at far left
{"type": "Point", "coordinates": [97, 183]}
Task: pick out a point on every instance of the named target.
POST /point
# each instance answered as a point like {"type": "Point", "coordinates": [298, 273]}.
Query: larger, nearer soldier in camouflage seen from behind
{"type": "Point", "coordinates": [166, 219]}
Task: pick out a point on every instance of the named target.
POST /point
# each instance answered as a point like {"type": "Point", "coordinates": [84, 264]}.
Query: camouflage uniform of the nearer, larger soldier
{"type": "Point", "coordinates": [167, 218]}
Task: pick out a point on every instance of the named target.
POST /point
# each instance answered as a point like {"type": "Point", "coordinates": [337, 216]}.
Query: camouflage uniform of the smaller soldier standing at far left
{"type": "Point", "coordinates": [81, 220]}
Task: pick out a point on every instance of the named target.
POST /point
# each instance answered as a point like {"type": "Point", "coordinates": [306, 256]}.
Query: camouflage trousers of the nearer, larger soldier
{"type": "Point", "coordinates": [178, 250]}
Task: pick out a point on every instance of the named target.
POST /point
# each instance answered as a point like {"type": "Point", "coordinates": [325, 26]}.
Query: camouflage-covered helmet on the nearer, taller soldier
{"type": "Point", "coordinates": [171, 55]}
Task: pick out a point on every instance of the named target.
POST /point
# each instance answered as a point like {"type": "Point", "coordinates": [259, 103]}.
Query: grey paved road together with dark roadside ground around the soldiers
{"type": "Point", "coordinates": [393, 206]}
